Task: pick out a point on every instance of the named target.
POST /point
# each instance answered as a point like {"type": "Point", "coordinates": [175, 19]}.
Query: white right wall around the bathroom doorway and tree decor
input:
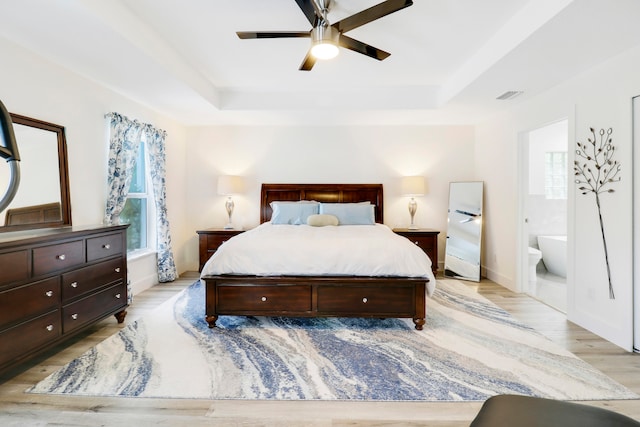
{"type": "Point", "coordinates": [599, 98]}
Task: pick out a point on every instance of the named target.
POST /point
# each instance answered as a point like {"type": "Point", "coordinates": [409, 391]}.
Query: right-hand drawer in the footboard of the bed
{"type": "Point", "coordinates": [396, 301]}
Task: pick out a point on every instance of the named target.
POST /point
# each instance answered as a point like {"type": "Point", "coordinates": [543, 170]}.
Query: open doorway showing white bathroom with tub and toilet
{"type": "Point", "coordinates": [544, 197]}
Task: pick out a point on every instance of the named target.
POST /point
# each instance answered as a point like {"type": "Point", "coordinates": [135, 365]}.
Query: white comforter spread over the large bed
{"type": "Point", "coordinates": [353, 250]}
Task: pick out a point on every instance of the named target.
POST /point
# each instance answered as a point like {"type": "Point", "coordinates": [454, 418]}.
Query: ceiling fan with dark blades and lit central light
{"type": "Point", "coordinates": [326, 37]}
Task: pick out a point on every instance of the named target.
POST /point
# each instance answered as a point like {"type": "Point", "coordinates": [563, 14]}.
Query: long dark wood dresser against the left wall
{"type": "Point", "coordinates": [55, 283]}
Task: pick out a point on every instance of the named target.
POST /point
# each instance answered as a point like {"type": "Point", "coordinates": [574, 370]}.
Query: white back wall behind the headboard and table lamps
{"type": "Point", "coordinates": [326, 155]}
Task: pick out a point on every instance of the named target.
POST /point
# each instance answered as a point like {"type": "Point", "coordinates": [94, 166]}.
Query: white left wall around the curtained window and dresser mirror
{"type": "Point", "coordinates": [33, 87]}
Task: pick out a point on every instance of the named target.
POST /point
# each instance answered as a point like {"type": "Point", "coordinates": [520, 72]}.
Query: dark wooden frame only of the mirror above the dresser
{"type": "Point", "coordinates": [63, 168]}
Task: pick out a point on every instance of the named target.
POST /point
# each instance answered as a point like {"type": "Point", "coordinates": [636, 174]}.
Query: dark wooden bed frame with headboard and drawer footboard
{"type": "Point", "coordinates": [317, 296]}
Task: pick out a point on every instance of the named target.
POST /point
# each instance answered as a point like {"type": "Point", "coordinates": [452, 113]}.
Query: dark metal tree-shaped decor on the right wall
{"type": "Point", "coordinates": [595, 172]}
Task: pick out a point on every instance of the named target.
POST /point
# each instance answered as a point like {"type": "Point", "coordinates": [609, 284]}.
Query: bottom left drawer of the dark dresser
{"type": "Point", "coordinates": [29, 336]}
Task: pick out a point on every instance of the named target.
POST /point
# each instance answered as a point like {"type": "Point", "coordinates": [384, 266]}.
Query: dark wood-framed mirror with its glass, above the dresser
{"type": "Point", "coordinates": [42, 199]}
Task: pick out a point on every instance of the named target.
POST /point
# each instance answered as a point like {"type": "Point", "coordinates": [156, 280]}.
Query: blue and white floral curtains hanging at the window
{"type": "Point", "coordinates": [124, 141]}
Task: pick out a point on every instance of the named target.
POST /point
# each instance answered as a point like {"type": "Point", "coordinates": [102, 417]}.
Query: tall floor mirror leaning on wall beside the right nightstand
{"type": "Point", "coordinates": [464, 231]}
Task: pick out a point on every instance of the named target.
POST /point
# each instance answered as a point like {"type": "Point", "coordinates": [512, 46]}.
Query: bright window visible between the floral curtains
{"type": "Point", "coordinates": [139, 206]}
